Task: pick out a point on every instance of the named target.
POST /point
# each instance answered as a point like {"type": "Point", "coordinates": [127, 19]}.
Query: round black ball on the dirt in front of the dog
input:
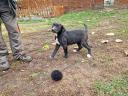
{"type": "Point", "coordinates": [56, 75]}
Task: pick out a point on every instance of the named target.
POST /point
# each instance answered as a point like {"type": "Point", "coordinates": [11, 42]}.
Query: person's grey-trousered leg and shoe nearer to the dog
{"type": "Point", "coordinates": [14, 36]}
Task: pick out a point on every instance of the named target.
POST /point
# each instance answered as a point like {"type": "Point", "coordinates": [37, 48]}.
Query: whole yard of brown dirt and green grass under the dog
{"type": "Point", "coordinates": [105, 75]}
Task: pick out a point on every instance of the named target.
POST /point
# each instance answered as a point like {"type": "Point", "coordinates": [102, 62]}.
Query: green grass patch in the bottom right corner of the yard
{"type": "Point", "coordinates": [115, 87]}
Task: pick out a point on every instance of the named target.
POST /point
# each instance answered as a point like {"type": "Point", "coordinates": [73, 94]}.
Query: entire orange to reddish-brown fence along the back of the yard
{"type": "Point", "coordinates": [52, 8]}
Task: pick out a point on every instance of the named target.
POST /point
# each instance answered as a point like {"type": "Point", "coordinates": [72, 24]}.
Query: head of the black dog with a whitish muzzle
{"type": "Point", "coordinates": [57, 28]}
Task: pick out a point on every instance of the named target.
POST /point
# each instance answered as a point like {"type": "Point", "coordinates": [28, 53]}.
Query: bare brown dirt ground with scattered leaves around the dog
{"type": "Point", "coordinates": [33, 79]}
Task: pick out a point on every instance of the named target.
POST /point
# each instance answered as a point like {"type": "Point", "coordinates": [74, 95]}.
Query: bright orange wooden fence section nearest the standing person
{"type": "Point", "coordinates": [42, 8]}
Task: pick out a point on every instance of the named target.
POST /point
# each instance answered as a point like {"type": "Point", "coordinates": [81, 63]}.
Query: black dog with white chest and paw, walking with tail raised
{"type": "Point", "coordinates": [65, 38]}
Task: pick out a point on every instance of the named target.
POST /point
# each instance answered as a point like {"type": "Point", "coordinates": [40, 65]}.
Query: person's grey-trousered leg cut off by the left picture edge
{"type": "Point", "coordinates": [4, 65]}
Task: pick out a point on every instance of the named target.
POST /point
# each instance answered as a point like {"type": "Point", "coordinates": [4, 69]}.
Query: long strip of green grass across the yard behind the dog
{"type": "Point", "coordinates": [75, 20]}
